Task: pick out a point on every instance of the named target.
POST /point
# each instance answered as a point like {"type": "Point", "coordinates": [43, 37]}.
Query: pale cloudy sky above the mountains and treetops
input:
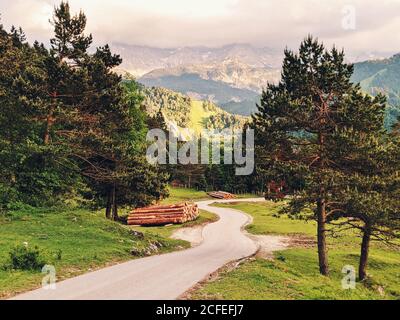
{"type": "Point", "coordinates": [358, 25]}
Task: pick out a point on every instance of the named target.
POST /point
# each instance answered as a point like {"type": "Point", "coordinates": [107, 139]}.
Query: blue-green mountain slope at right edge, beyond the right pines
{"type": "Point", "coordinates": [381, 76]}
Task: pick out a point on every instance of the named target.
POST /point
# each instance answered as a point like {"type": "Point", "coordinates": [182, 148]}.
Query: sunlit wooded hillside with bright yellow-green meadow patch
{"type": "Point", "coordinates": [187, 113]}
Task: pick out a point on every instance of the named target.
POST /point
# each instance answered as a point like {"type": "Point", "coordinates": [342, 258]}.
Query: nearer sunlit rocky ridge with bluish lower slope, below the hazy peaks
{"type": "Point", "coordinates": [232, 84]}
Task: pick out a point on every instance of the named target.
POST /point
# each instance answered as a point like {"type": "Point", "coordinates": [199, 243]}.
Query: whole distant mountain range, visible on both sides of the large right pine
{"type": "Point", "coordinates": [234, 75]}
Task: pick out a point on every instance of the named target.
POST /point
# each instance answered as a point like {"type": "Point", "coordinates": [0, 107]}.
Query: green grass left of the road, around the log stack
{"type": "Point", "coordinates": [76, 241]}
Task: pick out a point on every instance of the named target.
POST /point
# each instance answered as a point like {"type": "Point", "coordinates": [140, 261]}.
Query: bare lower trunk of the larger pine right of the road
{"type": "Point", "coordinates": [322, 249]}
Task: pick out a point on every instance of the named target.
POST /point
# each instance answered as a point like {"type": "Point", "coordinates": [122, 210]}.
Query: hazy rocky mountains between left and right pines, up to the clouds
{"type": "Point", "coordinates": [231, 76]}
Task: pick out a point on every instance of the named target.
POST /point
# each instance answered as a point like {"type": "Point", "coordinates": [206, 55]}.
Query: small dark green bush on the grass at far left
{"type": "Point", "coordinates": [24, 258]}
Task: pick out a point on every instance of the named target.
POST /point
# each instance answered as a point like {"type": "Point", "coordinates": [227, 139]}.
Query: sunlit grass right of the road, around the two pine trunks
{"type": "Point", "coordinates": [294, 272]}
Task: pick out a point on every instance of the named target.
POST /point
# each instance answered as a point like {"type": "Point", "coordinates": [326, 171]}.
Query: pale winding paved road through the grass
{"type": "Point", "coordinates": [164, 277]}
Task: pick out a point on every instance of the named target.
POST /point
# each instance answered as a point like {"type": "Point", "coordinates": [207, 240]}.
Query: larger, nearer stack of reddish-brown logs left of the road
{"type": "Point", "coordinates": [164, 215]}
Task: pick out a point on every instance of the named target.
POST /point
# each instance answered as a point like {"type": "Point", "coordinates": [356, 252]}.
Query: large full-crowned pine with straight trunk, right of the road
{"type": "Point", "coordinates": [298, 123]}
